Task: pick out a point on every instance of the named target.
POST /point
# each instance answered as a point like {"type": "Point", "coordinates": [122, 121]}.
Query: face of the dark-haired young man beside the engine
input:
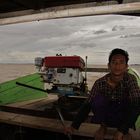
{"type": "Point", "coordinates": [118, 65]}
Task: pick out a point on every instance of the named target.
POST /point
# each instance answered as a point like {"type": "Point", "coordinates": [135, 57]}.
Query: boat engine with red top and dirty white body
{"type": "Point", "coordinates": [62, 74]}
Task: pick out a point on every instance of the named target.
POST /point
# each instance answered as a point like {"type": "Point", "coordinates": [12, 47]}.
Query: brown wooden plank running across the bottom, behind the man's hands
{"type": "Point", "coordinates": [86, 129]}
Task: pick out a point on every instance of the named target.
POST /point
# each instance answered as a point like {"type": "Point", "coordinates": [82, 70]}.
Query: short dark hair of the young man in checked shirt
{"type": "Point", "coordinates": [119, 51]}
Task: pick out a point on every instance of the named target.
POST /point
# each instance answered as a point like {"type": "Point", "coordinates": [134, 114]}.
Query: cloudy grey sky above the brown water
{"type": "Point", "coordinates": [92, 36]}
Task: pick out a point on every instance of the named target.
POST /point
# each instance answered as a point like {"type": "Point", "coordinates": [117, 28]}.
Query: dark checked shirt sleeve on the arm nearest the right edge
{"type": "Point", "coordinates": [133, 109]}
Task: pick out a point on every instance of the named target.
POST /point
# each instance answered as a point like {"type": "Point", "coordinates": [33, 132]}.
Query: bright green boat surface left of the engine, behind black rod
{"type": "Point", "coordinates": [10, 92]}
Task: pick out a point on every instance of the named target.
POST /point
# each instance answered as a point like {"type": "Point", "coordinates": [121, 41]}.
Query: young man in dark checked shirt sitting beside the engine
{"type": "Point", "coordinates": [114, 100]}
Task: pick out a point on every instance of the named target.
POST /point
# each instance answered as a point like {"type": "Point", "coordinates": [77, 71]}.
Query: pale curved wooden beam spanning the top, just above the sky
{"type": "Point", "coordinates": [53, 13]}
